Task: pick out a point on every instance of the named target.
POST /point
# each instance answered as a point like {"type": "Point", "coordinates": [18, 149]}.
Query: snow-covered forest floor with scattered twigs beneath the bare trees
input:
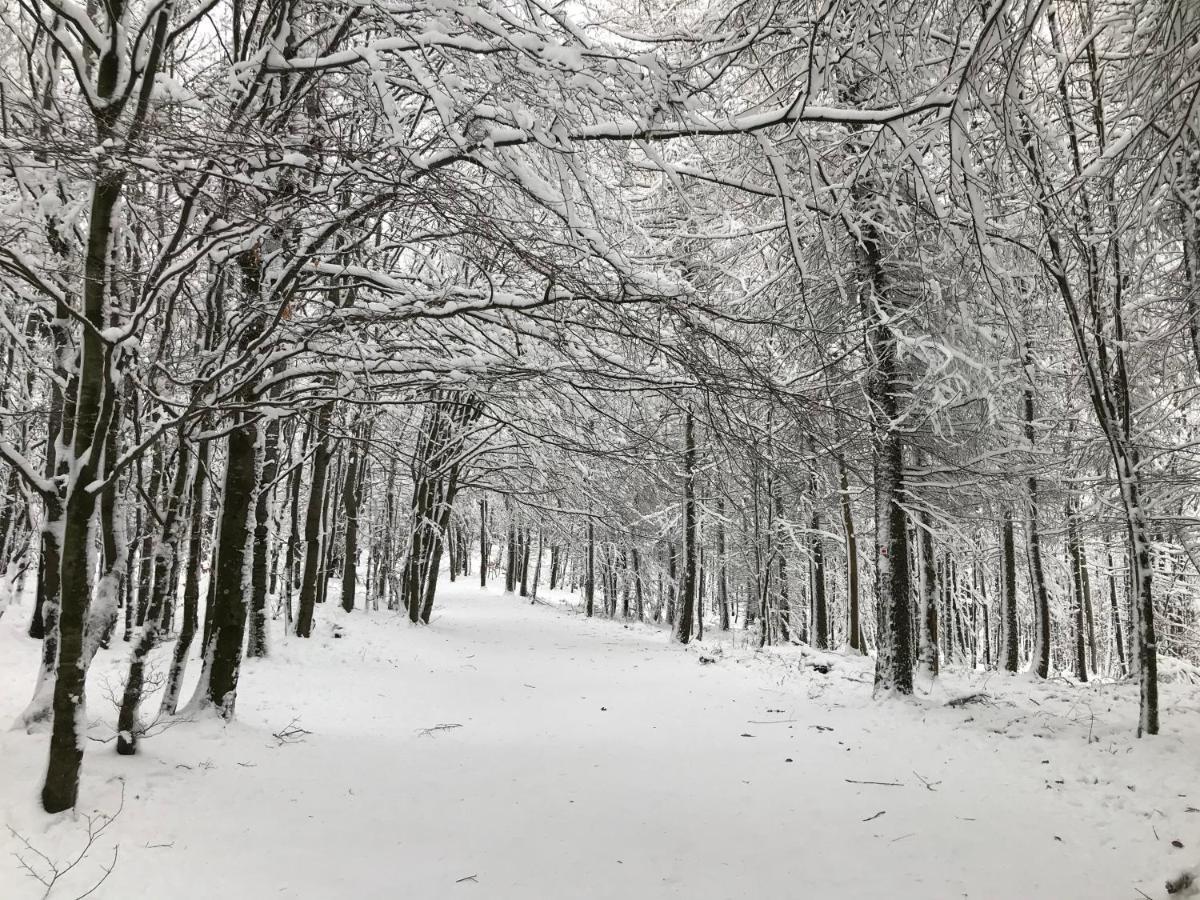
{"type": "Point", "coordinates": [518, 751]}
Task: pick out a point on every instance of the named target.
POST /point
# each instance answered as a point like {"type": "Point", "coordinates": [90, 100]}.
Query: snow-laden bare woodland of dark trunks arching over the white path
{"type": "Point", "coordinates": [862, 328]}
